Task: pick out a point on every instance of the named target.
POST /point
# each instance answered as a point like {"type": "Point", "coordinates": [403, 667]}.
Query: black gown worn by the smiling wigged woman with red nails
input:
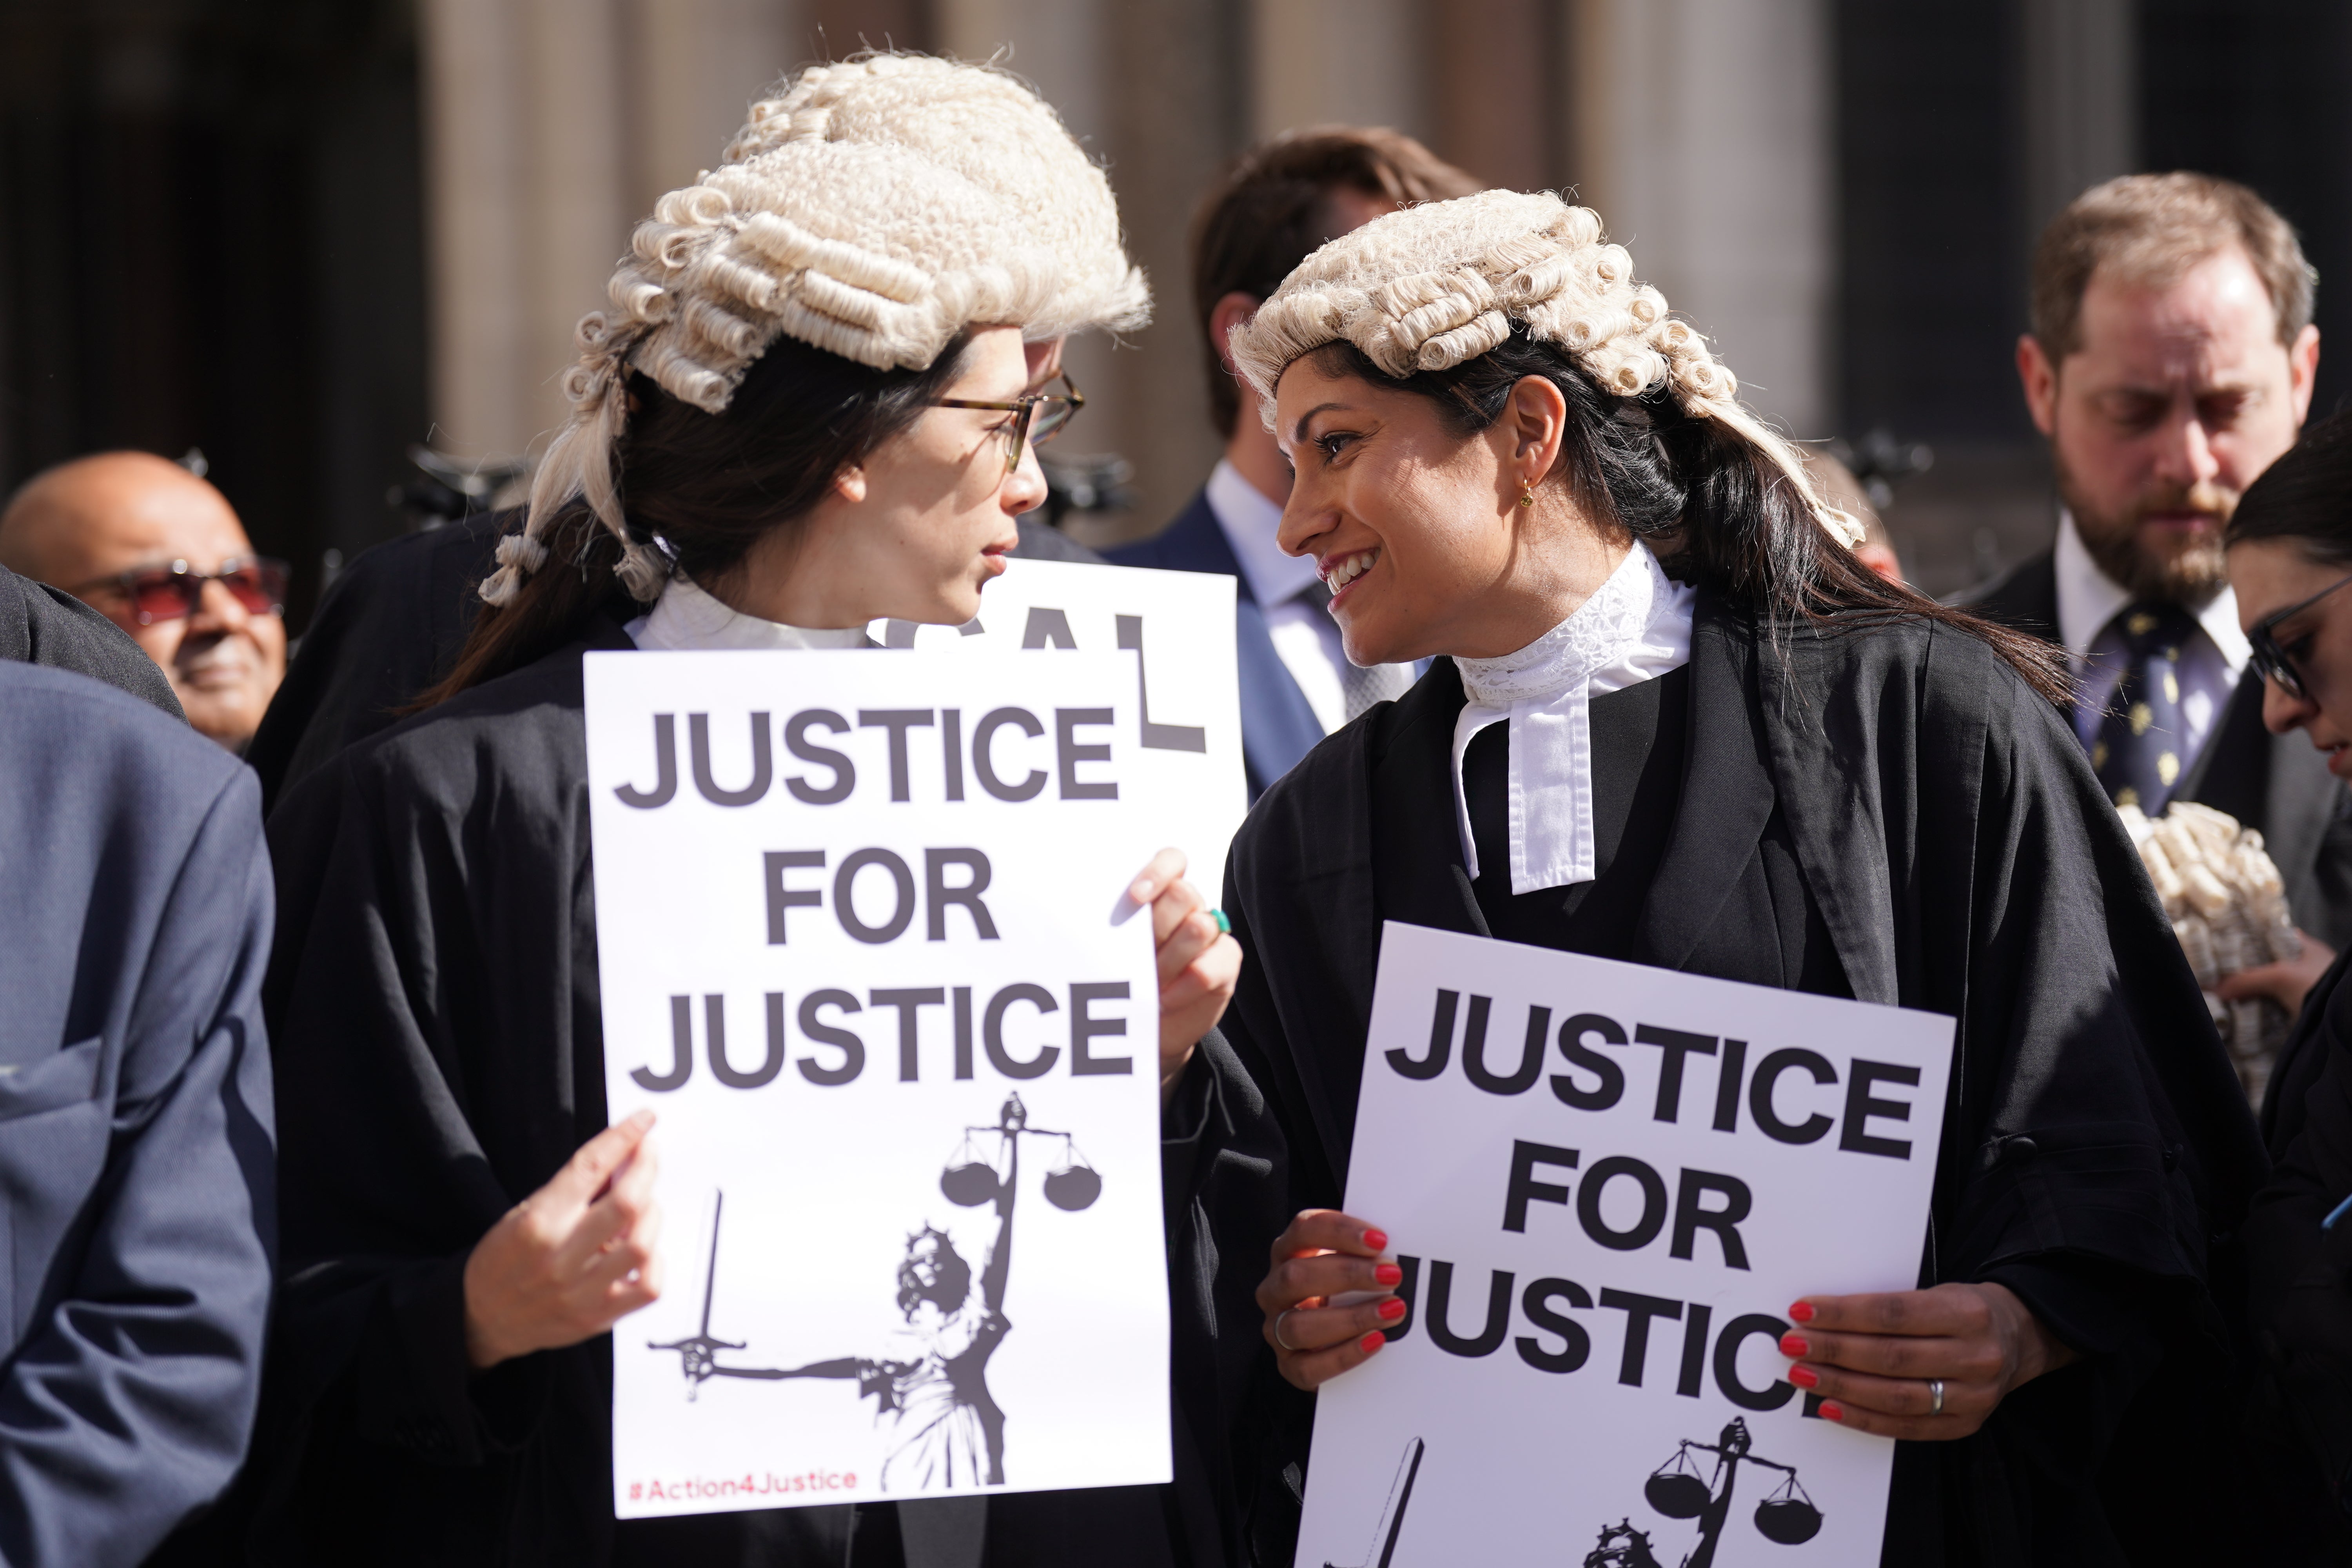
{"type": "Point", "coordinates": [1880, 815]}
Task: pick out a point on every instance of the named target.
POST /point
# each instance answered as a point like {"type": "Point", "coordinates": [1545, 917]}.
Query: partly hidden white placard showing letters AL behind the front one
{"type": "Point", "coordinates": [1175, 631]}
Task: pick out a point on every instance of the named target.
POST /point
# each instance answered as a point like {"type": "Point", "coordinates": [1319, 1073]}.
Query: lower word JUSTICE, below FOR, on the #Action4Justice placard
{"type": "Point", "coordinates": [843, 1052]}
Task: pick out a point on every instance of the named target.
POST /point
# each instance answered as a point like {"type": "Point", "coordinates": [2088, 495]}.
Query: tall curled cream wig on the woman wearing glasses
{"type": "Point", "coordinates": [874, 210]}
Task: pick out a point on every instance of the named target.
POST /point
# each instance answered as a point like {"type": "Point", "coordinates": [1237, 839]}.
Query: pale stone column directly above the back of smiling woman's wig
{"type": "Point", "coordinates": [1706, 145]}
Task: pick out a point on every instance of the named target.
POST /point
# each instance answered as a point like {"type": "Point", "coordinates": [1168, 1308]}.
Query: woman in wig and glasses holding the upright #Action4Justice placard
{"type": "Point", "coordinates": [813, 408]}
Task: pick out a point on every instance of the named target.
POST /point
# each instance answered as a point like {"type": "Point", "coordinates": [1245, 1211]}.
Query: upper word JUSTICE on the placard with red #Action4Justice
{"type": "Point", "coordinates": [1001, 756]}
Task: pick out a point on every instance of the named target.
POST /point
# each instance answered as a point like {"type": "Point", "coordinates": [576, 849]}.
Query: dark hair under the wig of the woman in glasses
{"type": "Point", "coordinates": [704, 488]}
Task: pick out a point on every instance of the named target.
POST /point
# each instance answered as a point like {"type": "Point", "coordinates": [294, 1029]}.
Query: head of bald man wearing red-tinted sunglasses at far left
{"type": "Point", "coordinates": [163, 556]}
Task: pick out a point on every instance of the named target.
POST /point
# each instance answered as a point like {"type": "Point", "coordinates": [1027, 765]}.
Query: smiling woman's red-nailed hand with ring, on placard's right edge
{"type": "Point", "coordinates": [1918, 1365]}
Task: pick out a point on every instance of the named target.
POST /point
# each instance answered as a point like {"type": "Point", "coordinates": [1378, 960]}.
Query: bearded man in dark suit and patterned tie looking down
{"type": "Point", "coordinates": [2170, 363]}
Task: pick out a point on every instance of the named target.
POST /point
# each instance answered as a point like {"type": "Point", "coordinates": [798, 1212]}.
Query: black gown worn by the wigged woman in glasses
{"type": "Point", "coordinates": [439, 1038]}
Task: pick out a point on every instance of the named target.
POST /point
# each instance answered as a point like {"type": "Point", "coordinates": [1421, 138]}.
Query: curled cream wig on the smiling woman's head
{"type": "Point", "coordinates": [1436, 286]}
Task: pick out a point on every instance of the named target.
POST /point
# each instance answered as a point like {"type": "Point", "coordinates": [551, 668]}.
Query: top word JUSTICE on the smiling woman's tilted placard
{"type": "Point", "coordinates": [1775, 1076]}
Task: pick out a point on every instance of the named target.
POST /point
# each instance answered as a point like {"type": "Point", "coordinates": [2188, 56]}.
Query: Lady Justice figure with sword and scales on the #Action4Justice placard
{"type": "Point", "coordinates": [947, 1428]}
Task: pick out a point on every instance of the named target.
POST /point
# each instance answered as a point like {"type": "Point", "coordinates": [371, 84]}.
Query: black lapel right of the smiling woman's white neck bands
{"type": "Point", "coordinates": [1728, 796]}
